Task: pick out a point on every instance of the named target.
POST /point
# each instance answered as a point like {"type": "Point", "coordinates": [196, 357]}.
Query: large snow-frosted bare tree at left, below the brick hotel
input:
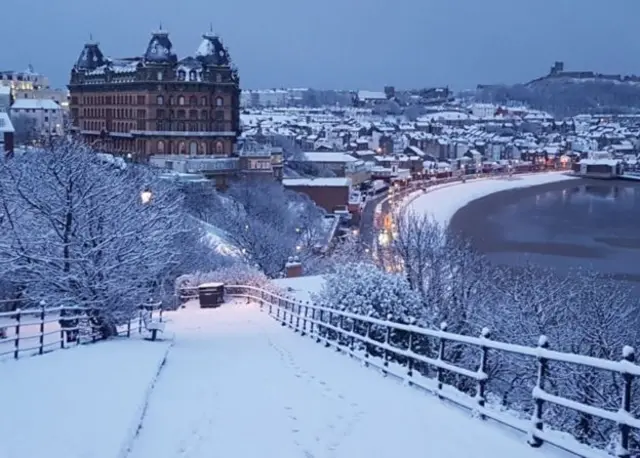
{"type": "Point", "coordinates": [75, 231]}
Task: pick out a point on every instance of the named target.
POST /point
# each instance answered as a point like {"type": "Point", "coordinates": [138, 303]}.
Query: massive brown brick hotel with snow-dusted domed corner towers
{"type": "Point", "coordinates": [157, 104]}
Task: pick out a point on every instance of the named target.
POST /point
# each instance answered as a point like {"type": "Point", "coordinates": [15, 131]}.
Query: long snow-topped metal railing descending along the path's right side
{"type": "Point", "coordinates": [366, 338]}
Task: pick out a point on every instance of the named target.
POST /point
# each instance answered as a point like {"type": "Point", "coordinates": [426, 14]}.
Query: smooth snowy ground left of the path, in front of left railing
{"type": "Point", "coordinates": [84, 402]}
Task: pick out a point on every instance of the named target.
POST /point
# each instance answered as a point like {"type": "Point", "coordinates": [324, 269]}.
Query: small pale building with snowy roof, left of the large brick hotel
{"type": "Point", "coordinates": [42, 116]}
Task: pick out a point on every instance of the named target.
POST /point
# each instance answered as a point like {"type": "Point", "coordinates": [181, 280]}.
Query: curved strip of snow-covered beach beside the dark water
{"type": "Point", "coordinates": [443, 203]}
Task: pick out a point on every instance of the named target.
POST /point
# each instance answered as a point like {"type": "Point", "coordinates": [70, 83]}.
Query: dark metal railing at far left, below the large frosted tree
{"type": "Point", "coordinates": [35, 331]}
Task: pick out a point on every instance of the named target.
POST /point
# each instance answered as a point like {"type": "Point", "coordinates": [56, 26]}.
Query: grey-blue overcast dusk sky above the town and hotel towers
{"type": "Point", "coordinates": [339, 44]}
